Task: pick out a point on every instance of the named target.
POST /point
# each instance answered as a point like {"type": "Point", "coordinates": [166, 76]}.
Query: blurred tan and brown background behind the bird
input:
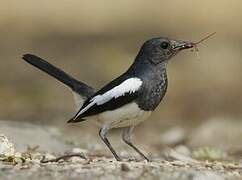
{"type": "Point", "coordinates": [95, 41]}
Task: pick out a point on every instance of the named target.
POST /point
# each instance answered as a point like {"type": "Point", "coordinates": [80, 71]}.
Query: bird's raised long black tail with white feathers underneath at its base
{"type": "Point", "coordinates": [80, 90]}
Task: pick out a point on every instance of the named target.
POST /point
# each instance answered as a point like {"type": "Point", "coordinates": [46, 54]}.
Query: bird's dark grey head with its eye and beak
{"type": "Point", "coordinates": [158, 50]}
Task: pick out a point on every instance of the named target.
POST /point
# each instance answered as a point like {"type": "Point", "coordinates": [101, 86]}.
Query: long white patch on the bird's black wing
{"type": "Point", "coordinates": [128, 86]}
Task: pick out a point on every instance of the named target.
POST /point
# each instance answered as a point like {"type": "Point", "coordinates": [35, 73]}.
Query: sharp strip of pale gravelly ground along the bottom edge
{"type": "Point", "coordinates": [107, 168]}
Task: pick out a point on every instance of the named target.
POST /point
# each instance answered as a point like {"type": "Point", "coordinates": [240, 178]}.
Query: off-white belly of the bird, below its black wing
{"type": "Point", "coordinates": [128, 115]}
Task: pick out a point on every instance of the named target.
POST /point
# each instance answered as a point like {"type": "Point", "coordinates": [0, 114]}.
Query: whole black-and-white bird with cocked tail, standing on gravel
{"type": "Point", "coordinates": [127, 100]}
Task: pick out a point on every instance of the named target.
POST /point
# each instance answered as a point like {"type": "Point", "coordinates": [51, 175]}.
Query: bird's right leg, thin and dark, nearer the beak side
{"type": "Point", "coordinates": [126, 136]}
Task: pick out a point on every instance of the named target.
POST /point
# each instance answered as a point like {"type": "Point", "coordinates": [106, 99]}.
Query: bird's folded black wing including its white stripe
{"type": "Point", "coordinates": [114, 95]}
